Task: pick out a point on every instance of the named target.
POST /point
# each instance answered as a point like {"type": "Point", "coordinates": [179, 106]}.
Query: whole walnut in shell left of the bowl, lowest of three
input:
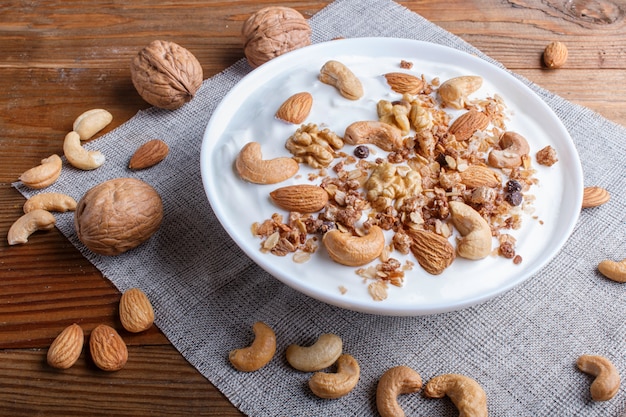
{"type": "Point", "coordinates": [118, 215]}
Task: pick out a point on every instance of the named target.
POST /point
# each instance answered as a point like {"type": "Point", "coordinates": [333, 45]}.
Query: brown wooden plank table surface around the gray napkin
{"type": "Point", "coordinates": [60, 58]}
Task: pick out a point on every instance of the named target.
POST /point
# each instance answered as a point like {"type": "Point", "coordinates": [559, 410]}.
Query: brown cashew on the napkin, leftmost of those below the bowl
{"type": "Point", "coordinates": [259, 353]}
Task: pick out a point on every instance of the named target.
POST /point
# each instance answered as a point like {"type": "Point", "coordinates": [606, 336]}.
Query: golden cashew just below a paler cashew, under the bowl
{"type": "Point", "coordinates": [335, 385]}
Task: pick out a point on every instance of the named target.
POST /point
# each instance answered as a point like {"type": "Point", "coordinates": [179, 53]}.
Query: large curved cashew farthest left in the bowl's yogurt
{"type": "Point", "coordinates": [252, 167]}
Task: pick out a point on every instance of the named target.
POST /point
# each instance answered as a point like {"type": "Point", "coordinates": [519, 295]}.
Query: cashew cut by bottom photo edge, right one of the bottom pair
{"type": "Point", "coordinates": [466, 394]}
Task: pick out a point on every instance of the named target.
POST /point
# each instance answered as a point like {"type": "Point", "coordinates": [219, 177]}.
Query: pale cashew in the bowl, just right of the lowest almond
{"type": "Point", "coordinates": [476, 239]}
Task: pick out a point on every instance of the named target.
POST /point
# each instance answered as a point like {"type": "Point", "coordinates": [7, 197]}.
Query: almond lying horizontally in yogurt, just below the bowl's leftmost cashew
{"type": "Point", "coordinates": [302, 198]}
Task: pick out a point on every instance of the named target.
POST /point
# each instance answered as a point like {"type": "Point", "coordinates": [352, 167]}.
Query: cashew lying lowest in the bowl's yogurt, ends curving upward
{"type": "Point", "coordinates": [350, 250]}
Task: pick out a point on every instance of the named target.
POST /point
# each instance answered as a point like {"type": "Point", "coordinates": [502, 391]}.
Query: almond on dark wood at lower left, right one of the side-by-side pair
{"type": "Point", "coordinates": [107, 348]}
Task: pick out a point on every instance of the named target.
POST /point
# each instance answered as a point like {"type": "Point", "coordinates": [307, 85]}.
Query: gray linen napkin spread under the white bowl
{"type": "Point", "coordinates": [521, 346]}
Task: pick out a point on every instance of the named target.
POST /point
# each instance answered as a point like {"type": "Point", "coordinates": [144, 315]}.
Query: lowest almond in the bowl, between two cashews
{"type": "Point", "coordinates": [432, 251]}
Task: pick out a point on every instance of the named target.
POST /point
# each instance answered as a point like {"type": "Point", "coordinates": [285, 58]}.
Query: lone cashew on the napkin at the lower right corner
{"type": "Point", "coordinates": [607, 381]}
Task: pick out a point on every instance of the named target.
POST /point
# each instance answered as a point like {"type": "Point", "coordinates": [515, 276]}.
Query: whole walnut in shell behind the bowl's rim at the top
{"type": "Point", "coordinates": [272, 31]}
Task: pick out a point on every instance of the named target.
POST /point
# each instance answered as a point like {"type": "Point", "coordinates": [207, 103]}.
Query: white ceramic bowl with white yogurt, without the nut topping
{"type": "Point", "coordinates": [247, 114]}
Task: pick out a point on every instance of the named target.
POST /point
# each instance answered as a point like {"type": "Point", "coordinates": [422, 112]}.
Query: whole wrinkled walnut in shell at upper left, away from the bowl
{"type": "Point", "coordinates": [165, 74]}
